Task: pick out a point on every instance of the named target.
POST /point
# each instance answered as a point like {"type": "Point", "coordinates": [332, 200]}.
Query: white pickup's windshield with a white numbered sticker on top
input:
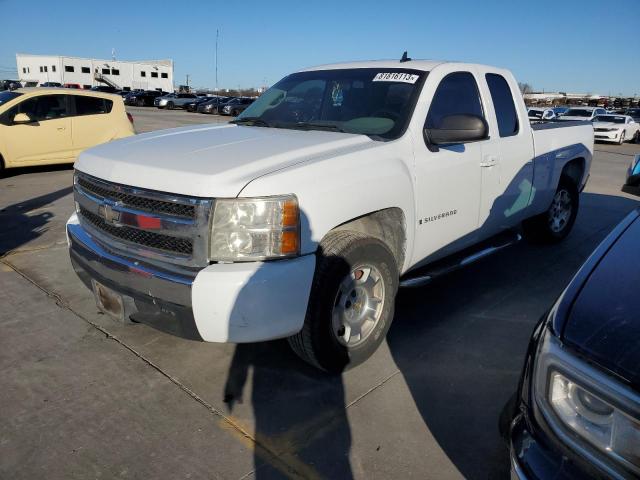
{"type": "Point", "coordinates": [365, 101]}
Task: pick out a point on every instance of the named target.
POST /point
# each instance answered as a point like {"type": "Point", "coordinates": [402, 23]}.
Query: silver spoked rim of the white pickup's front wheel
{"type": "Point", "coordinates": [358, 305]}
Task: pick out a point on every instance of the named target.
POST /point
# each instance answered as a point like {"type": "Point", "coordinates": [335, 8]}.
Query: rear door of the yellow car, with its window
{"type": "Point", "coordinates": [92, 122]}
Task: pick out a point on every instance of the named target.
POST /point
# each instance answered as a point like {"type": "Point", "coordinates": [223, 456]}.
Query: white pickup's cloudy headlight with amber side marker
{"type": "Point", "coordinates": [249, 229]}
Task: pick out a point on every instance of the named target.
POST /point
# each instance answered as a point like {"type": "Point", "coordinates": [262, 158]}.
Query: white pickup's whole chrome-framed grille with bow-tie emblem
{"type": "Point", "coordinates": [154, 227]}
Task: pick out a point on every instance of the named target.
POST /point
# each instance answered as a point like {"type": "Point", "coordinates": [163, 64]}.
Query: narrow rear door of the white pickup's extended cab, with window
{"type": "Point", "coordinates": [507, 166]}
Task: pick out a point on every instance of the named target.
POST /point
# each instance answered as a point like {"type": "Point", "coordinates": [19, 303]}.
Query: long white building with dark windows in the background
{"type": "Point", "coordinates": [89, 72]}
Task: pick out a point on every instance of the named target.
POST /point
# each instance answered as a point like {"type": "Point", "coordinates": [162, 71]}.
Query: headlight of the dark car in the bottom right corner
{"type": "Point", "coordinates": [578, 399]}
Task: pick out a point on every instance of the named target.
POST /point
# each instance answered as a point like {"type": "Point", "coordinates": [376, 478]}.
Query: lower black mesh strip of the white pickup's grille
{"type": "Point", "coordinates": [157, 241]}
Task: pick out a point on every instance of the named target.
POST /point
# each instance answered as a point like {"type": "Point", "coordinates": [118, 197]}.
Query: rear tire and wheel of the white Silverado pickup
{"type": "Point", "coordinates": [555, 224]}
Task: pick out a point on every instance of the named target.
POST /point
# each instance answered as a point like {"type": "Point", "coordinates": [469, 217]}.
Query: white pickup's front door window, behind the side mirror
{"type": "Point", "coordinates": [457, 94]}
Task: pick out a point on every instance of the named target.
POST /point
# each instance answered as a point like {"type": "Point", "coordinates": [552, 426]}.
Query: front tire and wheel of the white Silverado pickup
{"type": "Point", "coordinates": [351, 303]}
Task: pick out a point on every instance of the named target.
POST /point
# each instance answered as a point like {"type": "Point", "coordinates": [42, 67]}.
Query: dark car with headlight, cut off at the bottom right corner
{"type": "Point", "coordinates": [576, 414]}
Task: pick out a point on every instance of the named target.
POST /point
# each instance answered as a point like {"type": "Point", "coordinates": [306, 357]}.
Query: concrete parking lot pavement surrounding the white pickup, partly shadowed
{"type": "Point", "coordinates": [85, 397]}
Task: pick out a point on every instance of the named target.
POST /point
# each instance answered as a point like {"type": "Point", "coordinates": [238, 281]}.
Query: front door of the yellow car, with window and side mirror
{"type": "Point", "coordinates": [47, 138]}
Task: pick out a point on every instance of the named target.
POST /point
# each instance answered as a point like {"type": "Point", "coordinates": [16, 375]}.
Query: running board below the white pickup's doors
{"type": "Point", "coordinates": [425, 274]}
